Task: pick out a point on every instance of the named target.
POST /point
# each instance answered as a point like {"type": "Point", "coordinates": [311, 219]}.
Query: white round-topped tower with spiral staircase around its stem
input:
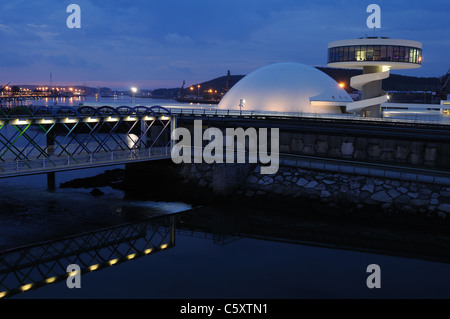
{"type": "Point", "coordinates": [376, 57]}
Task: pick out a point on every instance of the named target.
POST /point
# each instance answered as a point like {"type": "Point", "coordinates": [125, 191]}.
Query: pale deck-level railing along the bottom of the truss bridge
{"type": "Point", "coordinates": [83, 160]}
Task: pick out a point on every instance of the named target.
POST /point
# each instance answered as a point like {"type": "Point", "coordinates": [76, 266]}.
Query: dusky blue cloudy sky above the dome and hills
{"type": "Point", "coordinates": [152, 44]}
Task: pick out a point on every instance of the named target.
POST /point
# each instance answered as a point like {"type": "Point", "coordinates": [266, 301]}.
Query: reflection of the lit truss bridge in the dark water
{"type": "Point", "coordinates": [32, 267]}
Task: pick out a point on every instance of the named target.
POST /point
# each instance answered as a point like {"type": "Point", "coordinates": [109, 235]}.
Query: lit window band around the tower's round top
{"type": "Point", "coordinates": [360, 53]}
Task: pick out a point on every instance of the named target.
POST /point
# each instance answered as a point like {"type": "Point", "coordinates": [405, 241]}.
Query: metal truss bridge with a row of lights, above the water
{"type": "Point", "coordinates": [45, 139]}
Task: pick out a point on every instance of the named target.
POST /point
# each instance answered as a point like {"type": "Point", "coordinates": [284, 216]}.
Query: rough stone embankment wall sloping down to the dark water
{"type": "Point", "coordinates": [294, 184]}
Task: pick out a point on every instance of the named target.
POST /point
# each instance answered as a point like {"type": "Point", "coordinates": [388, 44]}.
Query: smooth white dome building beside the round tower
{"type": "Point", "coordinates": [287, 88]}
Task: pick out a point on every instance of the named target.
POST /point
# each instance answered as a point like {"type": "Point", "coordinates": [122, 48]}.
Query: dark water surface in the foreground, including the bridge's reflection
{"type": "Point", "coordinates": [142, 249]}
